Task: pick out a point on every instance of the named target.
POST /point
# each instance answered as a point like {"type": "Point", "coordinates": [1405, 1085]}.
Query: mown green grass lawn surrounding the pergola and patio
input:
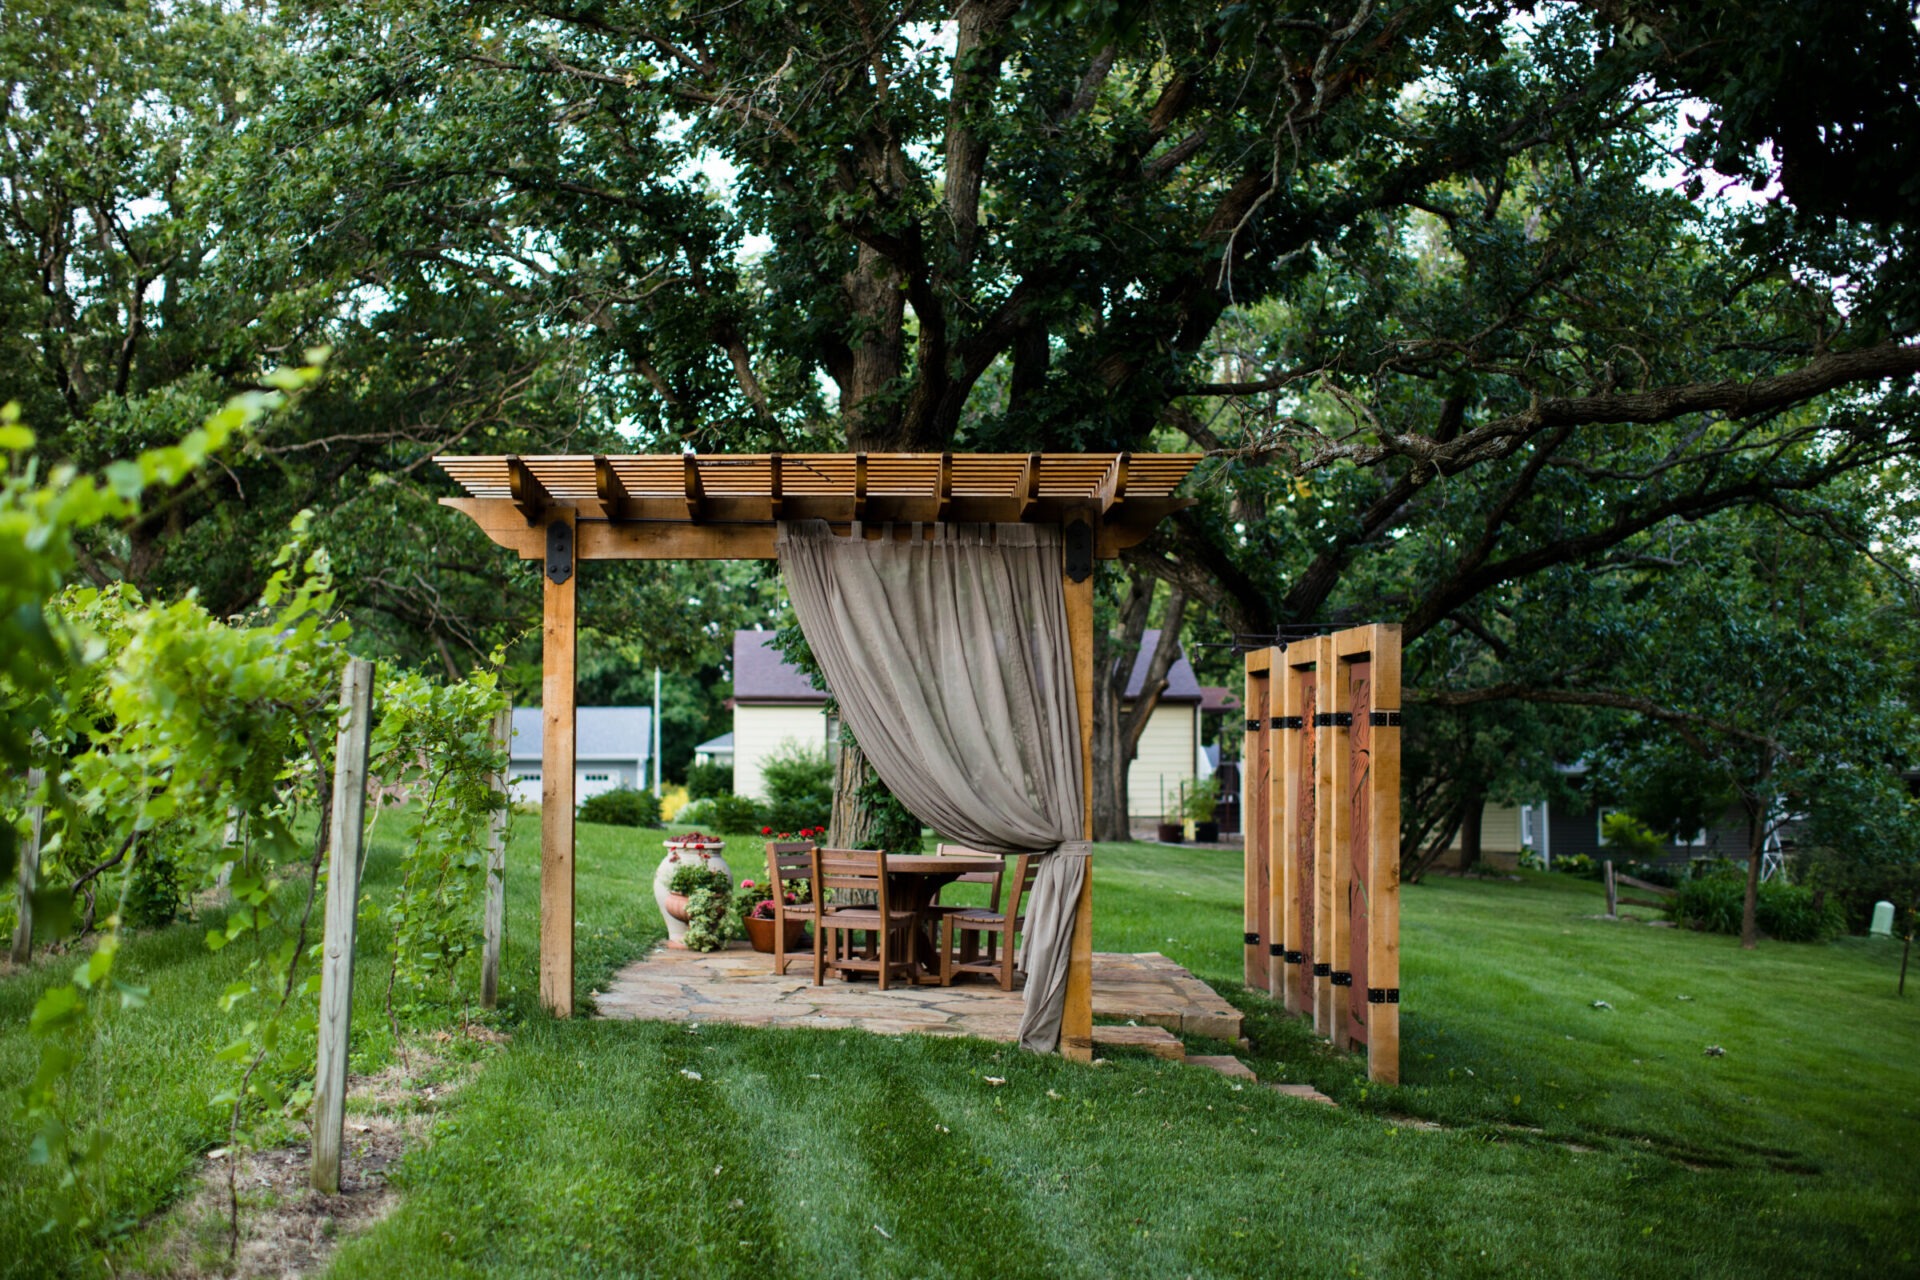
{"type": "Point", "coordinates": [1573, 1141]}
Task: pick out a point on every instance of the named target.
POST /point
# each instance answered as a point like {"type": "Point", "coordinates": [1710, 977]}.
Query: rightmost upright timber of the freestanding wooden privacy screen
{"type": "Point", "coordinates": [1383, 889]}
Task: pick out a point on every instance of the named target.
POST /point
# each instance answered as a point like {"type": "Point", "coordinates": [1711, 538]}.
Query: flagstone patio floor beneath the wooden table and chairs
{"type": "Point", "coordinates": [740, 985]}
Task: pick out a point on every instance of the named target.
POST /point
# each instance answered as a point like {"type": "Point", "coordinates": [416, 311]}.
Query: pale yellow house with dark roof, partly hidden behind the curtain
{"type": "Point", "coordinates": [775, 703]}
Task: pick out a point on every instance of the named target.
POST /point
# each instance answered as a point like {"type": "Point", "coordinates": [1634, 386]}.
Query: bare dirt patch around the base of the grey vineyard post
{"type": "Point", "coordinates": [287, 1229]}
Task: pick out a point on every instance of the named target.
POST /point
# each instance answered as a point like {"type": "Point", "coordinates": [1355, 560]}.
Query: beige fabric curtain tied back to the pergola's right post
{"type": "Point", "coordinates": [951, 663]}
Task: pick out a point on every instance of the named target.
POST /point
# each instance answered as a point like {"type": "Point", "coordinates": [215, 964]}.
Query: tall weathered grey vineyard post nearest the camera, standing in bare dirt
{"type": "Point", "coordinates": [343, 899]}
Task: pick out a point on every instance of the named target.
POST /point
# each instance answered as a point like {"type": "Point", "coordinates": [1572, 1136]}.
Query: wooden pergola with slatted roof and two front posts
{"type": "Point", "coordinates": [727, 508]}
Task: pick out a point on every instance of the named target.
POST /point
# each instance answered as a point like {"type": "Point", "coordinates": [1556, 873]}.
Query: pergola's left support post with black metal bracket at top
{"type": "Point", "coordinates": [558, 774]}
